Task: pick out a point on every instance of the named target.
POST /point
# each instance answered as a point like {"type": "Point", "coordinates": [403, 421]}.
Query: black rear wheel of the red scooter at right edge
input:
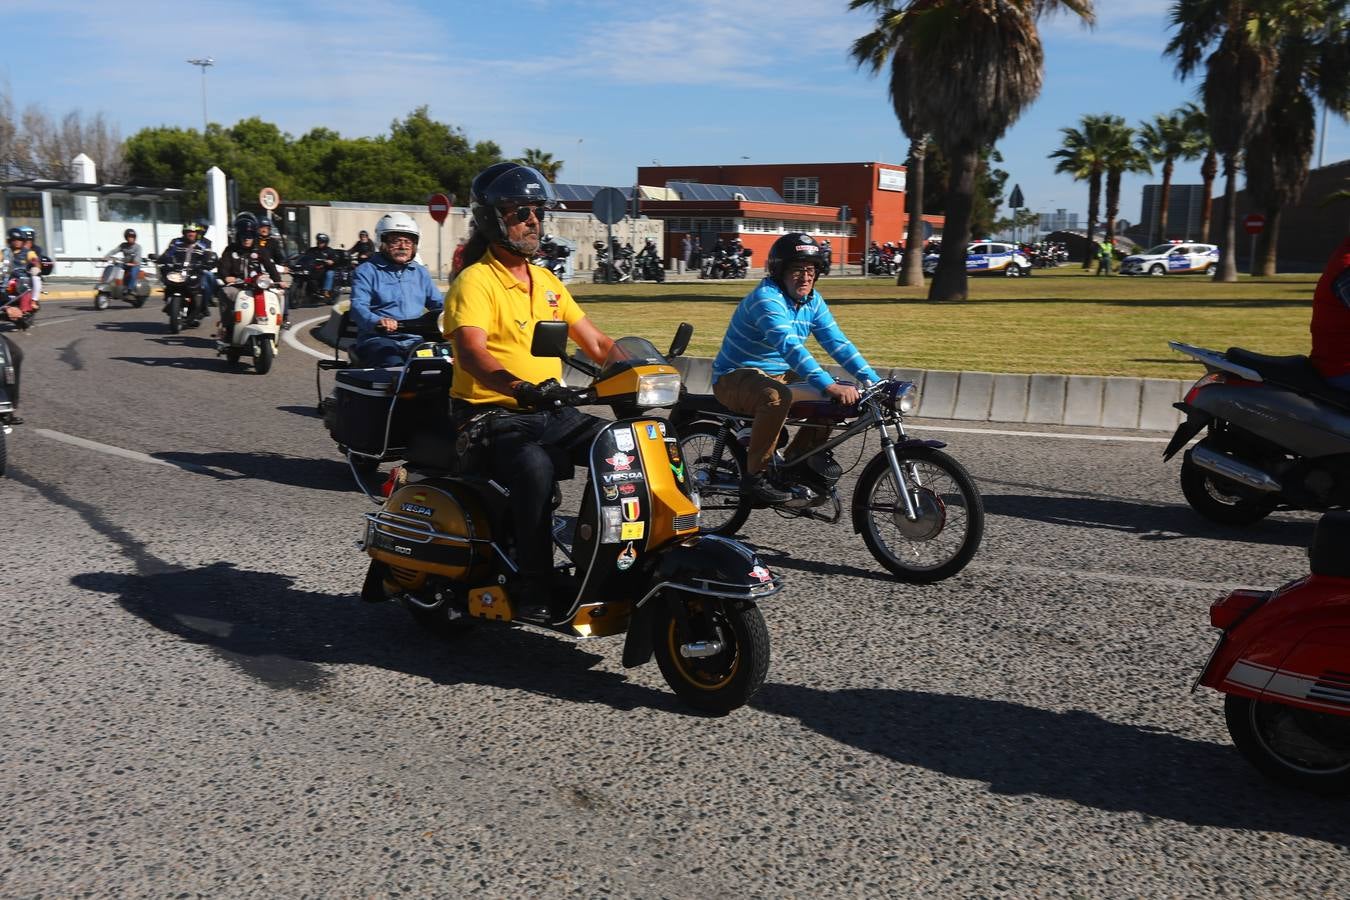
{"type": "Point", "coordinates": [1291, 746]}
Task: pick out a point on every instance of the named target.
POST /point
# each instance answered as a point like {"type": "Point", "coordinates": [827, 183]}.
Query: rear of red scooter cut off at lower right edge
{"type": "Point", "coordinates": [1285, 665]}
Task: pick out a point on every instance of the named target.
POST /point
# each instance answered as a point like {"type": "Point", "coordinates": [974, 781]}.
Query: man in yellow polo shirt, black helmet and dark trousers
{"type": "Point", "coordinates": [491, 319]}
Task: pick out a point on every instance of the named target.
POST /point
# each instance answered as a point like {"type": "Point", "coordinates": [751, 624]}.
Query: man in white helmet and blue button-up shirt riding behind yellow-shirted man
{"type": "Point", "coordinates": [388, 289]}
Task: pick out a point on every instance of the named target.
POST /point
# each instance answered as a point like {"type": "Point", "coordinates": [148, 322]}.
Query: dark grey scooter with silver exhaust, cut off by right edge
{"type": "Point", "coordinates": [1276, 437]}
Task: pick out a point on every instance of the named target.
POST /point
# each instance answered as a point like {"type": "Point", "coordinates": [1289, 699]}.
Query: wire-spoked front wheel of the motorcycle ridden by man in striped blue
{"type": "Point", "coordinates": [950, 526]}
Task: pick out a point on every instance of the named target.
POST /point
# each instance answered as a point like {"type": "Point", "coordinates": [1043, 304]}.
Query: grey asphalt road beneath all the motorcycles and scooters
{"type": "Point", "coordinates": [196, 704]}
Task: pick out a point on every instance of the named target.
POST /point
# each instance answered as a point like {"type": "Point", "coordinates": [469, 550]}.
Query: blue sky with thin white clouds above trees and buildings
{"type": "Point", "coordinates": [603, 86]}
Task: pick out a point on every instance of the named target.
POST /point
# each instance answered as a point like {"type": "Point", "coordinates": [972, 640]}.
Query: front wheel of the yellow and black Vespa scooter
{"type": "Point", "coordinates": [712, 651]}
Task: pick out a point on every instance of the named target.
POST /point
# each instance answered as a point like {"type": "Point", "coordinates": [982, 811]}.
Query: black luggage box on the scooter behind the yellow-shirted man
{"type": "Point", "coordinates": [365, 396]}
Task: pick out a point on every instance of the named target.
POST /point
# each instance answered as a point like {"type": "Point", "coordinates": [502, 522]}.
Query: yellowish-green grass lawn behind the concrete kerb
{"type": "Point", "coordinates": [1056, 322]}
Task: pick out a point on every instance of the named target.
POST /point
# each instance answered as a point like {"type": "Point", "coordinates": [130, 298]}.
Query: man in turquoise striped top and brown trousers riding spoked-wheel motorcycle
{"type": "Point", "coordinates": [765, 353]}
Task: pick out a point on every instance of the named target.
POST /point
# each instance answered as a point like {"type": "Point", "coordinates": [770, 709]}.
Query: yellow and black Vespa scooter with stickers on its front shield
{"type": "Point", "coordinates": [634, 562]}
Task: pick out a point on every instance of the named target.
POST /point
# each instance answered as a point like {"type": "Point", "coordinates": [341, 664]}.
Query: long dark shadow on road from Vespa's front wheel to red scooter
{"type": "Point", "coordinates": [1071, 756]}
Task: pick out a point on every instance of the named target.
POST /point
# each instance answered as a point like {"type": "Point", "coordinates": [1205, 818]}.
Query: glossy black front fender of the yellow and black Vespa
{"type": "Point", "coordinates": [704, 565]}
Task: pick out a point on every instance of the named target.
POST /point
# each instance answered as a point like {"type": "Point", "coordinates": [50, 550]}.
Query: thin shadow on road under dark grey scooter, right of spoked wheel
{"type": "Point", "coordinates": [1151, 522]}
